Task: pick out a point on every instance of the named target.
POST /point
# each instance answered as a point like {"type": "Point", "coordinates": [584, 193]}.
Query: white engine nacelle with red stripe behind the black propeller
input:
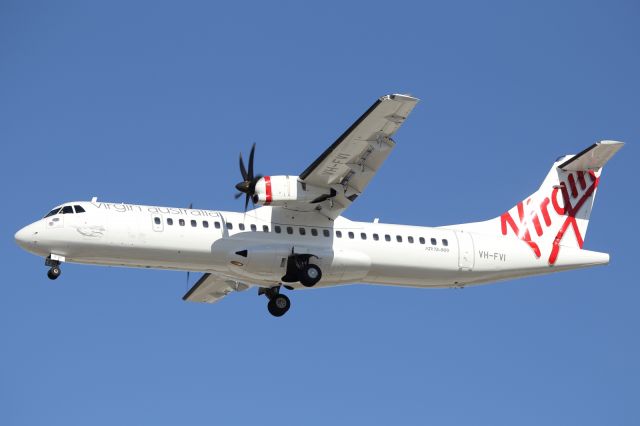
{"type": "Point", "coordinates": [285, 190]}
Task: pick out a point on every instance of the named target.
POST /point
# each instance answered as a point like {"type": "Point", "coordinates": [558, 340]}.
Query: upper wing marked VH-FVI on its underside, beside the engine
{"type": "Point", "coordinates": [348, 165]}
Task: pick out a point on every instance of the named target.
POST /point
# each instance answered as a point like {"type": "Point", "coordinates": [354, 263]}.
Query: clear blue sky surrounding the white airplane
{"type": "Point", "coordinates": [150, 102]}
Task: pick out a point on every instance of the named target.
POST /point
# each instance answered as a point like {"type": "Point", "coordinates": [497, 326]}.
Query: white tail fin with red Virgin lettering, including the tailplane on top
{"type": "Point", "coordinates": [558, 213]}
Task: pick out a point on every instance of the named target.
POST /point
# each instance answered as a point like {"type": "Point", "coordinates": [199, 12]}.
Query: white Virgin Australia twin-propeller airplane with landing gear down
{"type": "Point", "coordinates": [296, 237]}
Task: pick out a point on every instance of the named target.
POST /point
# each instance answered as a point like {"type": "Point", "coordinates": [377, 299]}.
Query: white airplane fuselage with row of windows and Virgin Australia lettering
{"type": "Point", "coordinates": [346, 251]}
